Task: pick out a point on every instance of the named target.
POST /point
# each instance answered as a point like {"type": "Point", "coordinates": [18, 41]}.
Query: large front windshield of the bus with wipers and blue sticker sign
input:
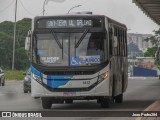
{"type": "Point", "coordinates": [69, 49]}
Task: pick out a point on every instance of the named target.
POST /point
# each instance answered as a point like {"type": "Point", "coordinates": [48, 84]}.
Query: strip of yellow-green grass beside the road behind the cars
{"type": "Point", "coordinates": [13, 75]}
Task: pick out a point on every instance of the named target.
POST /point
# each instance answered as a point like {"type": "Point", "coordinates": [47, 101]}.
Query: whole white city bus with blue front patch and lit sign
{"type": "Point", "coordinates": [78, 57]}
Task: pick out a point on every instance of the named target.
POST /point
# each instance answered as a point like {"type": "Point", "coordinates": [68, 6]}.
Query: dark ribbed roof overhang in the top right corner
{"type": "Point", "coordinates": [151, 8]}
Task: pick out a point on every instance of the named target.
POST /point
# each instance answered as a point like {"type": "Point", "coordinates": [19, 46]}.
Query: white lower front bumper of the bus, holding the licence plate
{"type": "Point", "coordinates": [101, 89]}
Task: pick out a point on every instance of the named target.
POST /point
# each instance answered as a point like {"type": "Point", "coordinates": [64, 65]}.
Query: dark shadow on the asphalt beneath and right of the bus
{"type": "Point", "coordinates": [93, 105]}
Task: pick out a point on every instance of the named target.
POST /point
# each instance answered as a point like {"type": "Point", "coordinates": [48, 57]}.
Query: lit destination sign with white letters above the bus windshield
{"type": "Point", "coordinates": [65, 23]}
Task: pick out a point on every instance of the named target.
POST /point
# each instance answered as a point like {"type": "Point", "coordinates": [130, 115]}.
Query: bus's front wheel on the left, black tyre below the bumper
{"type": "Point", "coordinates": [46, 103]}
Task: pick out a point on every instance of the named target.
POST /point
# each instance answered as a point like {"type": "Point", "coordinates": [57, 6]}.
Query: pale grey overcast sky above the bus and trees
{"type": "Point", "coordinates": [123, 11]}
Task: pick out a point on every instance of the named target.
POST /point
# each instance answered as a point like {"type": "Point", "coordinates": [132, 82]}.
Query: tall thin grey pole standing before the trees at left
{"type": "Point", "coordinates": [14, 41]}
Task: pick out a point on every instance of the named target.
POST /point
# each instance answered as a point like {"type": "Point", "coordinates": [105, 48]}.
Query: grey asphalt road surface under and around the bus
{"type": "Point", "coordinates": [139, 95]}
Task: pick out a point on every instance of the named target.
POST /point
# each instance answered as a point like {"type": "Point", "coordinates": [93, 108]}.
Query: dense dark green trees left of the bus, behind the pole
{"type": "Point", "coordinates": [6, 44]}
